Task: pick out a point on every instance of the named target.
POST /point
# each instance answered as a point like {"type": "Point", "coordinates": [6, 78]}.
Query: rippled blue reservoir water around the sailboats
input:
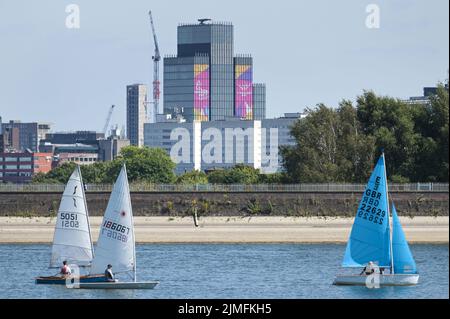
{"type": "Point", "coordinates": [286, 271]}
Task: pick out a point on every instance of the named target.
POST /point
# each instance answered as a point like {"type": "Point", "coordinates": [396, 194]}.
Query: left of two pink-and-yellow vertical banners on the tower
{"type": "Point", "coordinates": [201, 92]}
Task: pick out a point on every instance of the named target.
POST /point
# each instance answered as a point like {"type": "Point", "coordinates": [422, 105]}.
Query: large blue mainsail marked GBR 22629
{"type": "Point", "coordinates": [370, 237]}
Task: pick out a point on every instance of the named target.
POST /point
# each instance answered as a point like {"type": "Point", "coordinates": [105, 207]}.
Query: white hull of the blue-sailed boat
{"type": "Point", "coordinates": [385, 280]}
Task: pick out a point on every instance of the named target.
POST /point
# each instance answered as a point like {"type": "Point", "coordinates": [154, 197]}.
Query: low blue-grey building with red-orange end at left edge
{"type": "Point", "coordinates": [19, 167]}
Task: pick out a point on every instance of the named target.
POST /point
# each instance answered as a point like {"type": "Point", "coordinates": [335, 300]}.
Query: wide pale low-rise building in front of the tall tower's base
{"type": "Point", "coordinates": [221, 144]}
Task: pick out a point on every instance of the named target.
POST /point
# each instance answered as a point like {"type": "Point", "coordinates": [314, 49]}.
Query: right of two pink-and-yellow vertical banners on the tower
{"type": "Point", "coordinates": [244, 92]}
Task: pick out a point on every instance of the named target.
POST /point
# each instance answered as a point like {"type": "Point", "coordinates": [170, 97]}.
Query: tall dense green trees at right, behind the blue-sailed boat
{"type": "Point", "coordinates": [342, 144]}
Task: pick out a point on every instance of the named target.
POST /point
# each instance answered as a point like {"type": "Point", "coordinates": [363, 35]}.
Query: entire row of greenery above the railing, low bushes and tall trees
{"type": "Point", "coordinates": [333, 145]}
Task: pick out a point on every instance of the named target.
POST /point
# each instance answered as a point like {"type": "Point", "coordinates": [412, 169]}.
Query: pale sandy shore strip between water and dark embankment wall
{"type": "Point", "coordinates": [229, 229]}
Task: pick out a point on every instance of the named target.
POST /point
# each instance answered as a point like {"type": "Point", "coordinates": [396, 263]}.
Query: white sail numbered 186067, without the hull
{"type": "Point", "coordinates": [115, 244]}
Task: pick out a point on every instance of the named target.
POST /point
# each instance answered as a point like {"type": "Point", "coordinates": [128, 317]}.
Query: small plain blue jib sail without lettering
{"type": "Point", "coordinates": [403, 260]}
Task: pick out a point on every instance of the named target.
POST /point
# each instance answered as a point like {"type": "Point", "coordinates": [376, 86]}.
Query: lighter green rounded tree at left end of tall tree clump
{"type": "Point", "coordinates": [330, 147]}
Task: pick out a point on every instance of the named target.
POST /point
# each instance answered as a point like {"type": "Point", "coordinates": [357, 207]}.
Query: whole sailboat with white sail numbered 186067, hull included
{"type": "Point", "coordinates": [116, 242]}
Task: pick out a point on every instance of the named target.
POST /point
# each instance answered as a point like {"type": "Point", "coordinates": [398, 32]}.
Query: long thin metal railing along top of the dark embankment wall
{"type": "Point", "coordinates": [169, 188]}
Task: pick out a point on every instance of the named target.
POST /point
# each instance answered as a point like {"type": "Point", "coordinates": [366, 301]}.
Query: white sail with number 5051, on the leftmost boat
{"type": "Point", "coordinates": [72, 238]}
